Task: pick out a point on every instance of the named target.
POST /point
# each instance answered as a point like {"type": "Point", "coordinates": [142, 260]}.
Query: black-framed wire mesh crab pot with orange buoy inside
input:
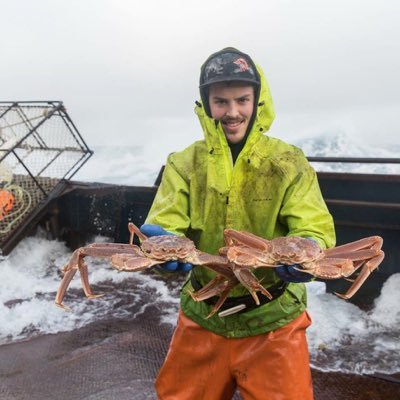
{"type": "Point", "coordinates": [39, 147]}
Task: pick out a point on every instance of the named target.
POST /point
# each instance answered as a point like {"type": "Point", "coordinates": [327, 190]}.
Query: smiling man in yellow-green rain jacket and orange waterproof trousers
{"type": "Point", "coordinates": [239, 178]}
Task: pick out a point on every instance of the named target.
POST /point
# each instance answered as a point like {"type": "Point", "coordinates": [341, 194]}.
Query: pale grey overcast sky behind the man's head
{"type": "Point", "coordinates": [128, 71]}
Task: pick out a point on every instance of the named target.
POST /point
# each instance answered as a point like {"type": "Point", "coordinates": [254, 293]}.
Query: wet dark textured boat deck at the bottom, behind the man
{"type": "Point", "coordinates": [119, 359]}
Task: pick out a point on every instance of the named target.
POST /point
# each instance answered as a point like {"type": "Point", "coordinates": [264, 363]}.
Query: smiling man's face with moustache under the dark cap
{"type": "Point", "coordinates": [233, 106]}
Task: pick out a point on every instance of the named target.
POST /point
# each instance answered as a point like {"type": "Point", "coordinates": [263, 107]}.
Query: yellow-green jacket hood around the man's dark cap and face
{"type": "Point", "coordinates": [265, 114]}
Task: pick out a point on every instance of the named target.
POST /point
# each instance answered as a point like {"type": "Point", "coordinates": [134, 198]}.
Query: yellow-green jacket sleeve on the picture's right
{"type": "Point", "coordinates": [304, 211]}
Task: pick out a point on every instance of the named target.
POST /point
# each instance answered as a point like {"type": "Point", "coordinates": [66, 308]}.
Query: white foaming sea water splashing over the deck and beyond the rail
{"type": "Point", "coordinates": [342, 336]}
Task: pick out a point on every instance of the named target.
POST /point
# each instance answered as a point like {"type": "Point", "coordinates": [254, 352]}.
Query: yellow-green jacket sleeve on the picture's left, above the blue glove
{"type": "Point", "coordinates": [170, 208]}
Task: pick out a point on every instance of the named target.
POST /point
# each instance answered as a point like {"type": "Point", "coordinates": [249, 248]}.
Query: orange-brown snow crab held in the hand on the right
{"type": "Point", "coordinates": [246, 251]}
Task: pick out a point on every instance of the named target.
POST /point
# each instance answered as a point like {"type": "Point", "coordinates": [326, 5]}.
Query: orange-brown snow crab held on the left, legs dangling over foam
{"type": "Point", "coordinates": [132, 258]}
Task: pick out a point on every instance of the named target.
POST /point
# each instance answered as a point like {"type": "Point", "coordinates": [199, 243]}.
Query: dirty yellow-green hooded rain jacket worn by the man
{"type": "Point", "coordinates": [271, 191]}
